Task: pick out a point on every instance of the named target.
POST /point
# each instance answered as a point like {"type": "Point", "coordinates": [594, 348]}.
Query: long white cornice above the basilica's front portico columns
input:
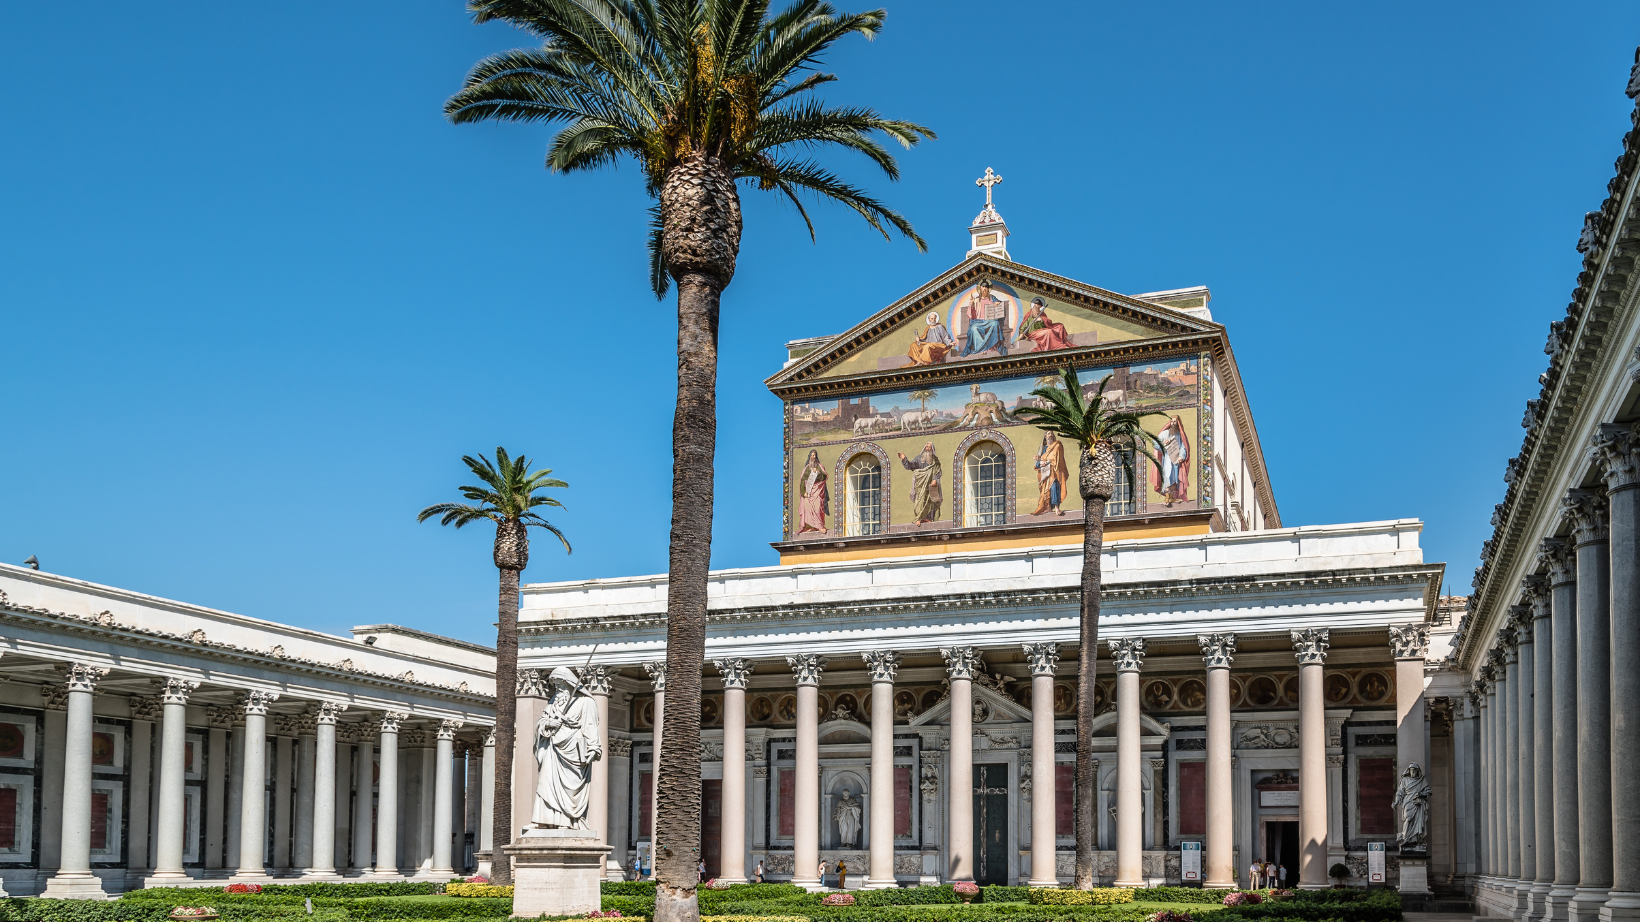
{"type": "Point", "coordinates": [1168, 591]}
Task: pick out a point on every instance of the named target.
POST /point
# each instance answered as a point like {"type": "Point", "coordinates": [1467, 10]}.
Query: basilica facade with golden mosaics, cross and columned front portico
{"type": "Point", "coordinates": [898, 693]}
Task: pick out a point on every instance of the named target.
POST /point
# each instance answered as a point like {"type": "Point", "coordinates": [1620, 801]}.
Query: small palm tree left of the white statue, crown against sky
{"type": "Point", "coordinates": [506, 498]}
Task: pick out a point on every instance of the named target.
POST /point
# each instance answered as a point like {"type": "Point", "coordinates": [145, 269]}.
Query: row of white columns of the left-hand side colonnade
{"type": "Point", "coordinates": [304, 836]}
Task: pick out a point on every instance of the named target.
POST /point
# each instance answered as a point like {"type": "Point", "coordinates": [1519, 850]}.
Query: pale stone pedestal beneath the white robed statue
{"type": "Point", "coordinates": [557, 872]}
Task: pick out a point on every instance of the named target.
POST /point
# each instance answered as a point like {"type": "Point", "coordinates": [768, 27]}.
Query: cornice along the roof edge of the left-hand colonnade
{"type": "Point", "coordinates": [104, 628]}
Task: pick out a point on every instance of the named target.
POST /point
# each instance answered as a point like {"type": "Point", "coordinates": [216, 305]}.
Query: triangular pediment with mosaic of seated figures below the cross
{"type": "Point", "coordinates": [988, 313]}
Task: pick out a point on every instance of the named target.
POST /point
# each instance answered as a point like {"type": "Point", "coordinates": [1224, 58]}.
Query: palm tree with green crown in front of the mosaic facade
{"type": "Point", "coordinates": [1105, 437]}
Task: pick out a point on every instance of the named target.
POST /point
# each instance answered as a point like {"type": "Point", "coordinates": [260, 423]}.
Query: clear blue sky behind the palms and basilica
{"type": "Point", "coordinates": [258, 298]}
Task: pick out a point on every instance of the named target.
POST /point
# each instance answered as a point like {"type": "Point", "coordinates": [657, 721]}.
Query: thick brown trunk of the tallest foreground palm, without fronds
{"type": "Point", "coordinates": [699, 244]}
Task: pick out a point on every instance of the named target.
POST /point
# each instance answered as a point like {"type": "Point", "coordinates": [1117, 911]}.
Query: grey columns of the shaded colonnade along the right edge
{"type": "Point", "coordinates": [1560, 714]}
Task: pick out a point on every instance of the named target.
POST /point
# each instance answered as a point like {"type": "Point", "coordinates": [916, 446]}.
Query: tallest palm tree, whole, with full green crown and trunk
{"type": "Point", "coordinates": [704, 96]}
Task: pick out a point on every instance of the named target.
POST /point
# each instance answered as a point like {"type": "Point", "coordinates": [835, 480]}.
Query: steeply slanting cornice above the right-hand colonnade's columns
{"type": "Point", "coordinates": [1556, 424]}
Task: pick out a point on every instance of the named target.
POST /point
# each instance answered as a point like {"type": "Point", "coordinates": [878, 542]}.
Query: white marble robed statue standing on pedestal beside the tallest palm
{"type": "Point", "coordinates": [567, 744]}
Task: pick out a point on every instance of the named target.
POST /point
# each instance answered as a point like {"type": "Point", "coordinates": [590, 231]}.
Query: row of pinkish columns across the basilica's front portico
{"type": "Point", "coordinates": [962, 665]}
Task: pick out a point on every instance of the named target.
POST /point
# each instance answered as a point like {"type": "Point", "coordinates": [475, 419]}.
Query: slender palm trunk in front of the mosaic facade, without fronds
{"type": "Point", "coordinates": [1096, 482]}
